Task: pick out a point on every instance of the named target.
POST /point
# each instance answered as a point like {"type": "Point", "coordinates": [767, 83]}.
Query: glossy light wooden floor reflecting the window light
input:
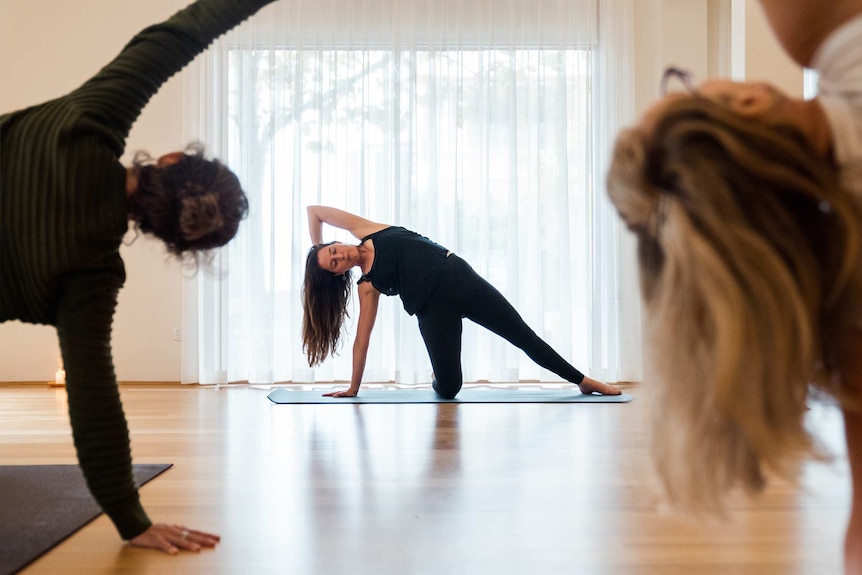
{"type": "Point", "coordinates": [470, 489]}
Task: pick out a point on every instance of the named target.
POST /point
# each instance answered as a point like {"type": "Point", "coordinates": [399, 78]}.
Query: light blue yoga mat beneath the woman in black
{"type": "Point", "coordinates": [284, 395]}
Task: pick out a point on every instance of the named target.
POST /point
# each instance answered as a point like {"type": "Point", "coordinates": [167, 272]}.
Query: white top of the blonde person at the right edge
{"type": "Point", "coordinates": [839, 63]}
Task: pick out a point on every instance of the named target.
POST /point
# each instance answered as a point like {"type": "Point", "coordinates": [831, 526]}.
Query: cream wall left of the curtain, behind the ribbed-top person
{"type": "Point", "coordinates": [47, 48]}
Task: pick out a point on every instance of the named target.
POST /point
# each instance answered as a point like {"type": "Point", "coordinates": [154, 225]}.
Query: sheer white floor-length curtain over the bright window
{"type": "Point", "coordinates": [482, 124]}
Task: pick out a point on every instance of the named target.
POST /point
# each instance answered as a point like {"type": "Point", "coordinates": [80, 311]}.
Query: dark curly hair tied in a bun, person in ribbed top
{"type": "Point", "coordinates": [193, 205]}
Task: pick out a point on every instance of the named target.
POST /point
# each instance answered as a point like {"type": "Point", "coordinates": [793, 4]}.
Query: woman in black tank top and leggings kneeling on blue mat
{"type": "Point", "coordinates": [433, 283]}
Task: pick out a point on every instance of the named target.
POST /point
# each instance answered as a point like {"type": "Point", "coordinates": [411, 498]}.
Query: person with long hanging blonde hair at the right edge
{"type": "Point", "coordinates": [746, 208]}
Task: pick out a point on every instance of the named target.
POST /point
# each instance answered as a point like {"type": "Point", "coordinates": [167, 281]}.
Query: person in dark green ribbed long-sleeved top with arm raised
{"type": "Point", "coordinates": [65, 204]}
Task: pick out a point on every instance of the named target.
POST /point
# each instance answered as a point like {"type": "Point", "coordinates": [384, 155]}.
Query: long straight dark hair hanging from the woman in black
{"type": "Point", "coordinates": [324, 307]}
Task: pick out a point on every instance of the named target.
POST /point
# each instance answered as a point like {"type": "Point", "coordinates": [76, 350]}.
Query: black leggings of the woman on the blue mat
{"type": "Point", "coordinates": [464, 293]}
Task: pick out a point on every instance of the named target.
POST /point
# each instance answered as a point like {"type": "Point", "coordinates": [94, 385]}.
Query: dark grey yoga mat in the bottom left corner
{"type": "Point", "coordinates": [41, 505]}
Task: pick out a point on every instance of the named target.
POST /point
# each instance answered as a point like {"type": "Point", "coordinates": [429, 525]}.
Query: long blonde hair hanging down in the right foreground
{"type": "Point", "coordinates": [747, 246]}
